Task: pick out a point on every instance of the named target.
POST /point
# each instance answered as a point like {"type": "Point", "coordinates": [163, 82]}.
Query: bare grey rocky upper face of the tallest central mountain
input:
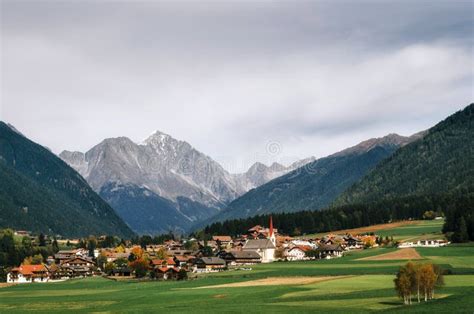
{"type": "Point", "coordinates": [162, 164]}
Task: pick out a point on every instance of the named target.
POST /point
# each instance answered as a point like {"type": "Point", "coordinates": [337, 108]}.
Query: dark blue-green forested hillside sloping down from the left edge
{"type": "Point", "coordinates": [40, 193]}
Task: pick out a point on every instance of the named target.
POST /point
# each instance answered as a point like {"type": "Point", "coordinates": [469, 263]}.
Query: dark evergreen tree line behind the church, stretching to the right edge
{"type": "Point", "coordinates": [455, 207]}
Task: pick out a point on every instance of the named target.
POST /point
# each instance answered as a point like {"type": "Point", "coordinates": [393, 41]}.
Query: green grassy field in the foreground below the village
{"type": "Point", "coordinates": [350, 285]}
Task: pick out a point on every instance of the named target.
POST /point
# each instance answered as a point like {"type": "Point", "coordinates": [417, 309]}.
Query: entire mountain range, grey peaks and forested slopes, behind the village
{"type": "Point", "coordinates": [164, 184]}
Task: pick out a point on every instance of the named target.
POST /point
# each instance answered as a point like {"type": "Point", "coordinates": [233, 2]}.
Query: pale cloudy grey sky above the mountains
{"type": "Point", "coordinates": [241, 81]}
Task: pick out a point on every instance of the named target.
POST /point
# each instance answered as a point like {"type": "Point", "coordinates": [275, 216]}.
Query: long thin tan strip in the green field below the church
{"type": "Point", "coordinates": [275, 281]}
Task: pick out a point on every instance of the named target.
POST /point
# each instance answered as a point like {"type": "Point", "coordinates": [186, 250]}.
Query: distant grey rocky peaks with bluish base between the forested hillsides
{"type": "Point", "coordinates": [164, 184]}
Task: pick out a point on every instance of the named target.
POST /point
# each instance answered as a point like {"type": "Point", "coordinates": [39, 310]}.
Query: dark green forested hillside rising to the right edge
{"type": "Point", "coordinates": [441, 162]}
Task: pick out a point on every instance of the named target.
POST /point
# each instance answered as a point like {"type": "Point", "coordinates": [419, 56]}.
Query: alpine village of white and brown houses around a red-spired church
{"type": "Point", "coordinates": [177, 259]}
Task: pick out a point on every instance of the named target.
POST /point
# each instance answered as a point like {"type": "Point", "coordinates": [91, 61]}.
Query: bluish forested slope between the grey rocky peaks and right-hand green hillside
{"type": "Point", "coordinates": [317, 184]}
